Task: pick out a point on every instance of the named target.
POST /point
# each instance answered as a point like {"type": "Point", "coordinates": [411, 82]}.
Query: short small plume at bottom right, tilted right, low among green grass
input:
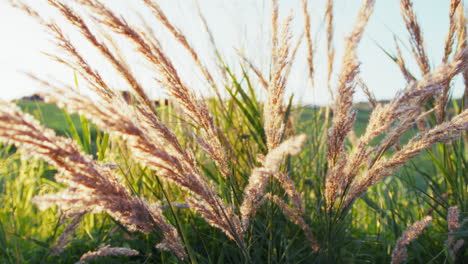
{"type": "Point", "coordinates": [400, 252]}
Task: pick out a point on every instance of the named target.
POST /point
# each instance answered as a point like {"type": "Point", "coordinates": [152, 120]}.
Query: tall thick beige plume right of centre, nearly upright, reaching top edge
{"type": "Point", "coordinates": [343, 116]}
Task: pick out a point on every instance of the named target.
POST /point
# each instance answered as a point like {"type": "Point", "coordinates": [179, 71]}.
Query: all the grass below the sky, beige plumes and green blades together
{"type": "Point", "coordinates": [236, 179]}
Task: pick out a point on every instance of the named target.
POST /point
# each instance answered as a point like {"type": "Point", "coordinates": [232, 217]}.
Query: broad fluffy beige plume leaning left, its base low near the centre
{"type": "Point", "coordinates": [155, 146]}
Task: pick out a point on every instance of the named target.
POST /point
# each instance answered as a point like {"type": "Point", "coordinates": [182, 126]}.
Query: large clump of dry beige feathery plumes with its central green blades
{"type": "Point", "coordinates": [231, 192]}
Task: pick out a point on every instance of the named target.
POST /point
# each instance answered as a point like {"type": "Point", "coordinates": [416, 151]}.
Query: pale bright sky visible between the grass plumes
{"type": "Point", "coordinates": [237, 25]}
